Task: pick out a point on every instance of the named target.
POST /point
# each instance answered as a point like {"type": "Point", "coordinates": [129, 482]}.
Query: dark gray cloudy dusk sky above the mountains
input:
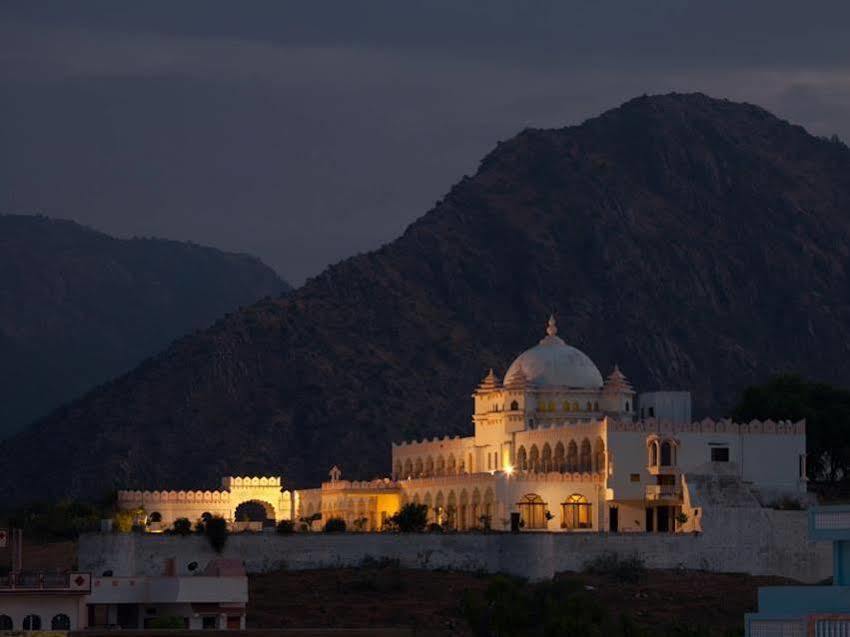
{"type": "Point", "coordinates": [305, 132]}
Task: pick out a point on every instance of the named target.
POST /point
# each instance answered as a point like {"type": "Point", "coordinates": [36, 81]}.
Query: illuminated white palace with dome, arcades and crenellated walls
{"type": "Point", "coordinates": [555, 447]}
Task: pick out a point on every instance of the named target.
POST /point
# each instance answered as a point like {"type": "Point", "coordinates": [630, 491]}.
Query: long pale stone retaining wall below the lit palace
{"type": "Point", "coordinates": [777, 544]}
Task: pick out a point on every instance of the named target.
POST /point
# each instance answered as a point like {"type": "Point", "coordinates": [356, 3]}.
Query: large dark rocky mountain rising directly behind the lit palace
{"type": "Point", "coordinates": [699, 243]}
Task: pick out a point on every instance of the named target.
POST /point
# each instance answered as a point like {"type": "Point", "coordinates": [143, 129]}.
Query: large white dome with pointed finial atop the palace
{"type": "Point", "coordinates": [553, 362]}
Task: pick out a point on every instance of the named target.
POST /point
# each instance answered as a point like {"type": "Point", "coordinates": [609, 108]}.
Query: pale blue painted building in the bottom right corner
{"type": "Point", "coordinates": [811, 611]}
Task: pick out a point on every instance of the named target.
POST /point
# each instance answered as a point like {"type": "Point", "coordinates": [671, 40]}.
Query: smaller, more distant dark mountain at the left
{"type": "Point", "coordinates": [78, 307]}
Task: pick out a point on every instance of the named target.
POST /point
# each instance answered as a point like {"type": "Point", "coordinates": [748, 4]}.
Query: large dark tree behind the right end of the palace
{"type": "Point", "coordinates": [827, 413]}
